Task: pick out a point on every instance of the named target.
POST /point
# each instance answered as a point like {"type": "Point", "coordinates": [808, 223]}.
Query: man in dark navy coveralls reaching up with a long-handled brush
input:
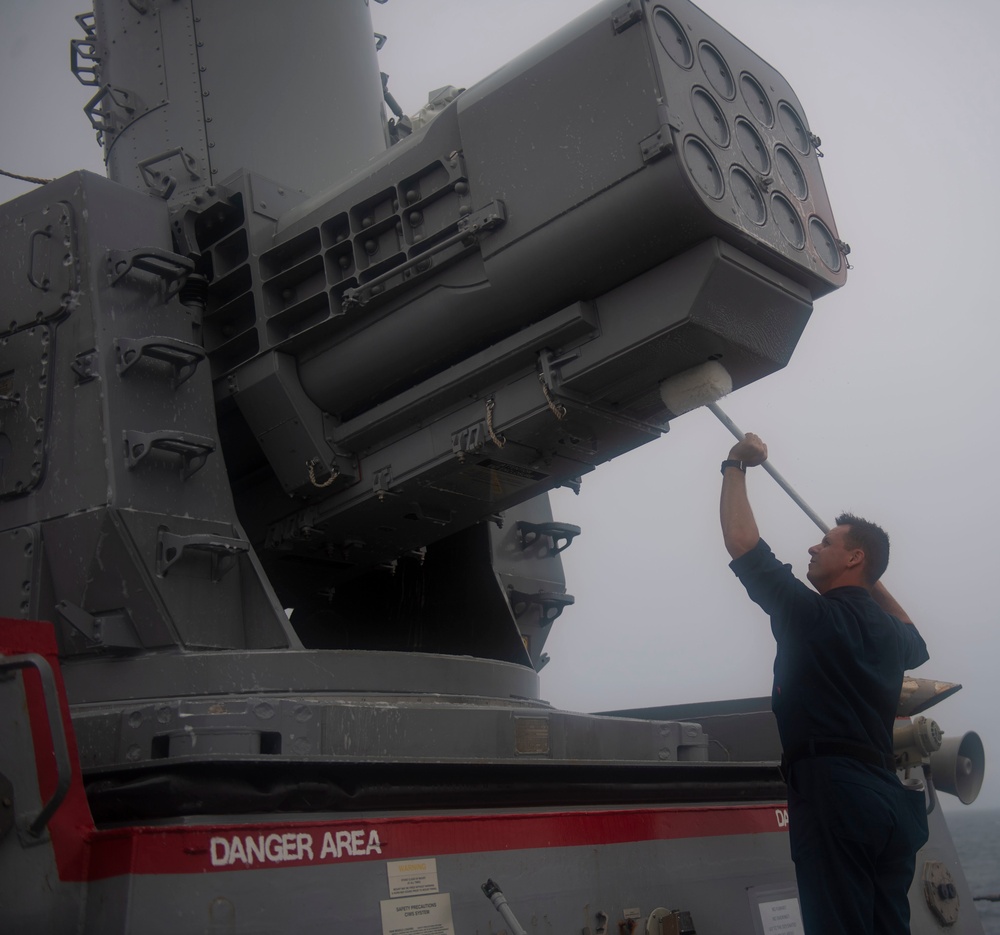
{"type": "Point", "coordinates": [854, 828]}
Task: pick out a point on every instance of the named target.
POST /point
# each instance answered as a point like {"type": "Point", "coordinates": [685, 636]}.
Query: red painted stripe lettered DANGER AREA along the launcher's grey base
{"type": "Point", "coordinates": [83, 853]}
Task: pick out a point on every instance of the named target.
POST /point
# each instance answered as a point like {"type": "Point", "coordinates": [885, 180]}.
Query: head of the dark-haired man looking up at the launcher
{"type": "Point", "coordinates": [854, 552]}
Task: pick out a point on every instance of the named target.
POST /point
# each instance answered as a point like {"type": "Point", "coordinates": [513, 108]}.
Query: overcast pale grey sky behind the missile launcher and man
{"type": "Point", "coordinates": [887, 409]}
